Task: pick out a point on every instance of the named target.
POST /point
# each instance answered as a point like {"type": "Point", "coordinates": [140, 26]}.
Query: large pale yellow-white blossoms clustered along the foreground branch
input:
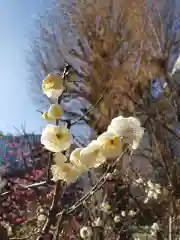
{"type": "Point", "coordinates": [58, 138]}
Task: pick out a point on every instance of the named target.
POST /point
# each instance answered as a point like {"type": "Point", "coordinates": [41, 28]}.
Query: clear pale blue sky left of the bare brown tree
{"type": "Point", "coordinates": [16, 106]}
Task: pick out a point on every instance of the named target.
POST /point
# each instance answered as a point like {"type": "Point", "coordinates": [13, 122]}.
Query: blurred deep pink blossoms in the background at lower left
{"type": "Point", "coordinates": [14, 207]}
